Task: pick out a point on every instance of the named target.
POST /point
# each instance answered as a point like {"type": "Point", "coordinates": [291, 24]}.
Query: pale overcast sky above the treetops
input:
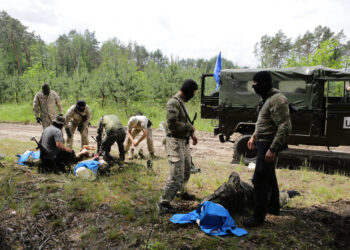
{"type": "Point", "coordinates": [183, 28]}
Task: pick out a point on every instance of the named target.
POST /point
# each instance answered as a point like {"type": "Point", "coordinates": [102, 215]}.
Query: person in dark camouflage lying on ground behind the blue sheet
{"type": "Point", "coordinates": [236, 195]}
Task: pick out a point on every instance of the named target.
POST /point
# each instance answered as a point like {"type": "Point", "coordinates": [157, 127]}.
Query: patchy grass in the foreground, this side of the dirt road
{"type": "Point", "coordinates": [118, 210]}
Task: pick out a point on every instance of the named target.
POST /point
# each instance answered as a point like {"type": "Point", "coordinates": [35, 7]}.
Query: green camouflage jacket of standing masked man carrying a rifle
{"type": "Point", "coordinates": [178, 124]}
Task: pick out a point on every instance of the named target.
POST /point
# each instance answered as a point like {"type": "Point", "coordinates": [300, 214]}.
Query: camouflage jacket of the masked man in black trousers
{"type": "Point", "coordinates": [273, 122]}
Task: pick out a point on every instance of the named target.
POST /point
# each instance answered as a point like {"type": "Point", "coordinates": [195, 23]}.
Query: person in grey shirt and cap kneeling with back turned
{"type": "Point", "coordinates": [52, 140]}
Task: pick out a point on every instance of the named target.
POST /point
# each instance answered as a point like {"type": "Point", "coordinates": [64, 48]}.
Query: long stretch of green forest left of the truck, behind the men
{"type": "Point", "coordinates": [77, 66]}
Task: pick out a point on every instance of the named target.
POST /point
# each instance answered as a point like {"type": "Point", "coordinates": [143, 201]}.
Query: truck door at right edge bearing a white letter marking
{"type": "Point", "coordinates": [337, 123]}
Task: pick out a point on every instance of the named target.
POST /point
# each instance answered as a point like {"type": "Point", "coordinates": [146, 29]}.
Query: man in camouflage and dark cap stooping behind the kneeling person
{"type": "Point", "coordinates": [78, 116]}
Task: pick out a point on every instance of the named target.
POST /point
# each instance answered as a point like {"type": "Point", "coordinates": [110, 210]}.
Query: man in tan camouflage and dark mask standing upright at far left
{"type": "Point", "coordinates": [45, 105]}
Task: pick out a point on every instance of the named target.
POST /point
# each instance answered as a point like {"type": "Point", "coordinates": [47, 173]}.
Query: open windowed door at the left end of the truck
{"type": "Point", "coordinates": [209, 97]}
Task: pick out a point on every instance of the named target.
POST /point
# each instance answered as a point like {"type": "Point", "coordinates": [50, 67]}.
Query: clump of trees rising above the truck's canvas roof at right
{"type": "Point", "coordinates": [320, 47]}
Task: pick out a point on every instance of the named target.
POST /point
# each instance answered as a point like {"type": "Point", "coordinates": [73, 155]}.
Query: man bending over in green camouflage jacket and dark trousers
{"type": "Point", "coordinates": [114, 132]}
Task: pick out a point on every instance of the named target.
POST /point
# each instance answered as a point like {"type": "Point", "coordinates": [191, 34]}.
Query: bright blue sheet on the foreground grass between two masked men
{"type": "Point", "coordinates": [213, 219]}
